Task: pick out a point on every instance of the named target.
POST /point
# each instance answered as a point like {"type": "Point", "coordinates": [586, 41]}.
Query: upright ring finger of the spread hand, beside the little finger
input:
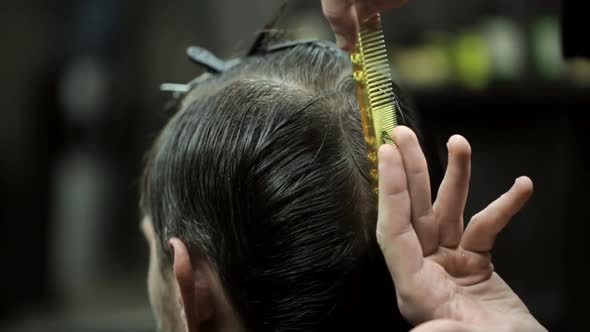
{"type": "Point", "coordinates": [452, 193]}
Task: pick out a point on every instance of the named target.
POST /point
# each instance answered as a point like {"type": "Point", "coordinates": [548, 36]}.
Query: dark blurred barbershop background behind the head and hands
{"type": "Point", "coordinates": [81, 104]}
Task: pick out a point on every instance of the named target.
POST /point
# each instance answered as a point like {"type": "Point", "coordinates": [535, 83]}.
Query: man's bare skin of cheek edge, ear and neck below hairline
{"type": "Point", "coordinates": [187, 295]}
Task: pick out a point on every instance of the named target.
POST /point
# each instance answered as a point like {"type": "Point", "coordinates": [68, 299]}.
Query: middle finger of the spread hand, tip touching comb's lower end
{"type": "Point", "coordinates": [418, 180]}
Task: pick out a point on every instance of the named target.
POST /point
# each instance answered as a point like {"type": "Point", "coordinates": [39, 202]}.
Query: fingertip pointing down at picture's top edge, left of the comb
{"type": "Point", "coordinates": [341, 14]}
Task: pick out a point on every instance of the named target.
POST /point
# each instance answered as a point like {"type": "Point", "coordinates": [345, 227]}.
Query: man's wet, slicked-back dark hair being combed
{"type": "Point", "coordinates": [263, 170]}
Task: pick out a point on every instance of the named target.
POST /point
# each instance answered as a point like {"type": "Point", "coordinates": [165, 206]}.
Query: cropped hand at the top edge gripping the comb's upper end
{"type": "Point", "coordinates": [344, 16]}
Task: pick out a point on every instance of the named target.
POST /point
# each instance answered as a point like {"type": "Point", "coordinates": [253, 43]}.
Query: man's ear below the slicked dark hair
{"type": "Point", "coordinates": [195, 284]}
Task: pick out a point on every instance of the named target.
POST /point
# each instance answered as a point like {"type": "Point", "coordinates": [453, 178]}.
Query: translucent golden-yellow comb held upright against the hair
{"type": "Point", "coordinates": [374, 91]}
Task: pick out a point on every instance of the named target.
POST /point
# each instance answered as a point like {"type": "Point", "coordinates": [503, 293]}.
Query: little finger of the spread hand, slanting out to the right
{"type": "Point", "coordinates": [483, 228]}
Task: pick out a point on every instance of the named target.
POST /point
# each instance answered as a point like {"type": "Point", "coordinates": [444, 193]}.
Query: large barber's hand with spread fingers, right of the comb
{"type": "Point", "coordinates": [443, 274]}
